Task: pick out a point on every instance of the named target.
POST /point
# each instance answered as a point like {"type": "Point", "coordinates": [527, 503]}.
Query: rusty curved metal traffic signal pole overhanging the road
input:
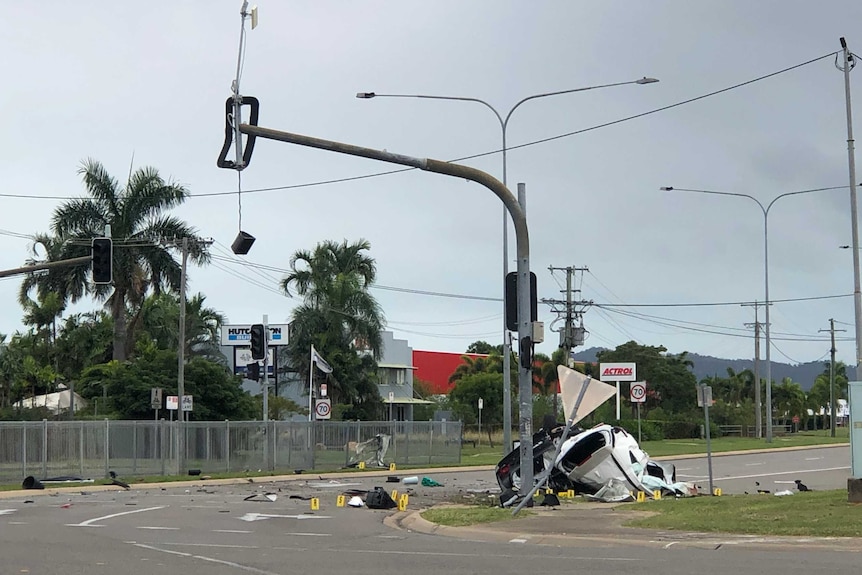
{"type": "Point", "coordinates": [522, 238]}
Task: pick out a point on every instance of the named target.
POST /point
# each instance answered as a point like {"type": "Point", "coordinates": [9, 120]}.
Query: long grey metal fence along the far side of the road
{"type": "Point", "coordinates": [90, 449]}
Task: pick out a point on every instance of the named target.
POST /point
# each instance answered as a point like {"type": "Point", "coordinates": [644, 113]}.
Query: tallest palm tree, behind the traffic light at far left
{"type": "Point", "coordinates": [137, 219]}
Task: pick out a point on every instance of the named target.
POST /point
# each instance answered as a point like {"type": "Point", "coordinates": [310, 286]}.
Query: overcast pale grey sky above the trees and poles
{"type": "Point", "coordinates": [144, 84]}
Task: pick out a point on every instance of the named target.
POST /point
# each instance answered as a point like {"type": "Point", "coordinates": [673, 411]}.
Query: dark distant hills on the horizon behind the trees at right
{"type": "Point", "coordinates": [704, 365]}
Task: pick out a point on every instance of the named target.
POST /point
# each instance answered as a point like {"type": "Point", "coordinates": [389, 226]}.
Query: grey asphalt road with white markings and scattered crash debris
{"type": "Point", "coordinates": [215, 530]}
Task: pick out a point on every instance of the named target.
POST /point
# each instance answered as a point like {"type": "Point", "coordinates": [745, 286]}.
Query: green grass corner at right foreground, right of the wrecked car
{"type": "Point", "coordinates": [811, 514]}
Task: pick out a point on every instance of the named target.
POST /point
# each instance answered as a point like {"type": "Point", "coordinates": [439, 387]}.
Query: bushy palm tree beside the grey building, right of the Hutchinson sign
{"type": "Point", "coordinates": [341, 318]}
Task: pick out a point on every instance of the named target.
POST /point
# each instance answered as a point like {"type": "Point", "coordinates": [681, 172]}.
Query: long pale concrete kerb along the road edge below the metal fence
{"type": "Point", "coordinates": [257, 480]}
